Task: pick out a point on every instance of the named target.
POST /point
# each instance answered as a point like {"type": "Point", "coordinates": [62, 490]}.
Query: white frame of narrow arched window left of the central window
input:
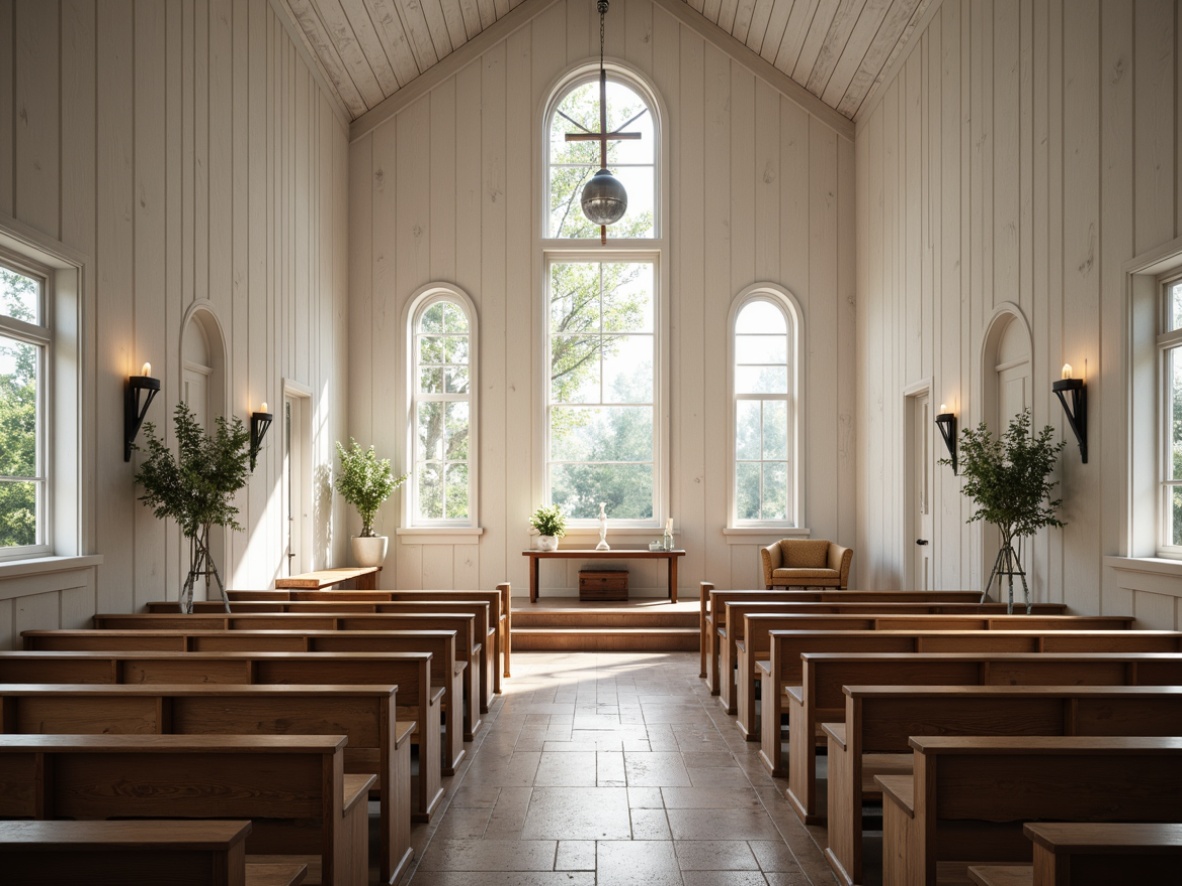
{"type": "Point", "coordinates": [424, 299]}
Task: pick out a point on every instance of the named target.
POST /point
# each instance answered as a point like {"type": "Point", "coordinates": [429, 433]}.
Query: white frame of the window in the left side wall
{"type": "Point", "coordinates": [41, 336]}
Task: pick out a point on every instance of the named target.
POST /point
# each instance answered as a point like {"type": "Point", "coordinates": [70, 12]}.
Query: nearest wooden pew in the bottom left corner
{"type": "Point", "coordinates": [118, 854]}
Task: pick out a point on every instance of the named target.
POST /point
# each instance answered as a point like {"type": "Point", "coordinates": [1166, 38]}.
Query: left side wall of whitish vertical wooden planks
{"type": "Point", "coordinates": [186, 149]}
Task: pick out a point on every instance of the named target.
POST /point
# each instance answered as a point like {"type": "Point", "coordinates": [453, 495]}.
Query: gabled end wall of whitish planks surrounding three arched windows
{"type": "Point", "coordinates": [762, 191]}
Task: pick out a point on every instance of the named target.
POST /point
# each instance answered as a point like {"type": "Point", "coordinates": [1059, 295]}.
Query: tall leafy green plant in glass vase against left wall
{"type": "Point", "coordinates": [197, 487]}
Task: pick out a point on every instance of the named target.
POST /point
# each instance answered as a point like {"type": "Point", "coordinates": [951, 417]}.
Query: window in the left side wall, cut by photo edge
{"type": "Point", "coordinates": [25, 355]}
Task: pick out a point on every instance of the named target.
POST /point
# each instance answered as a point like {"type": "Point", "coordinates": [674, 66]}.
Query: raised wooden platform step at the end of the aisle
{"type": "Point", "coordinates": [639, 626]}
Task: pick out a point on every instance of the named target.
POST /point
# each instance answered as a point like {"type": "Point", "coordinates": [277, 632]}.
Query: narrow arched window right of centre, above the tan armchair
{"type": "Point", "coordinates": [765, 331]}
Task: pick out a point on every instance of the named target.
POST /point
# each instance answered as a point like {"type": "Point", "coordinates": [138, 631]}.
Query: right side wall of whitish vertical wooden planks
{"type": "Point", "coordinates": [1050, 136]}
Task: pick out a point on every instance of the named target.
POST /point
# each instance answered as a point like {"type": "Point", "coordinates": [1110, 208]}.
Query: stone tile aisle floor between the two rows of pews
{"type": "Point", "coordinates": [614, 770]}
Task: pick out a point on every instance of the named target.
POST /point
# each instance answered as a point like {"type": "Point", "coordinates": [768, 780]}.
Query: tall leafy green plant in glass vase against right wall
{"type": "Point", "coordinates": [1009, 479]}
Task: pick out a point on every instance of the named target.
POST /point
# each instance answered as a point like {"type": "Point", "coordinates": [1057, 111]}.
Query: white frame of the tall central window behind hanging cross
{"type": "Point", "coordinates": [652, 249]}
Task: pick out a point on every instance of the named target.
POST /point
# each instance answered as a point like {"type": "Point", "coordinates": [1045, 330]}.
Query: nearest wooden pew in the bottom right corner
{"type": "Point", "coordinates": [1093, 854]}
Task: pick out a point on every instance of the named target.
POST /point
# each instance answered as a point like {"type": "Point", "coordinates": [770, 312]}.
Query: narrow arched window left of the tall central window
{"type": "Point", "coordinates": [443, 414]}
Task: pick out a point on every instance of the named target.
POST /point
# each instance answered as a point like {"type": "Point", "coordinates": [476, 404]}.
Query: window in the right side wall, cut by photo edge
{"type": "Point", "coordinates": [1170, 346]}
